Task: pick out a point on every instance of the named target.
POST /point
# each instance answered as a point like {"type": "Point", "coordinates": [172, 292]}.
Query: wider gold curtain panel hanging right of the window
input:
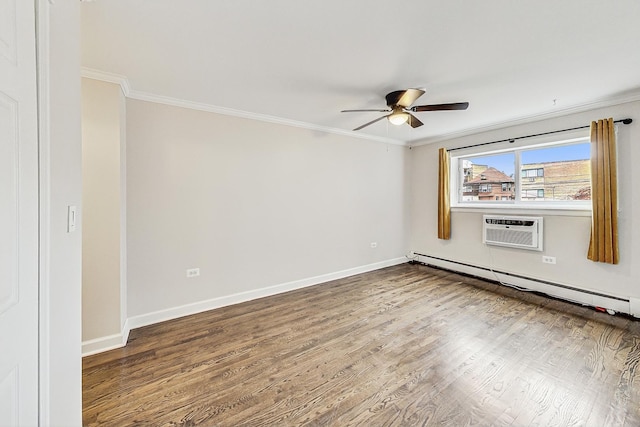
{"type": "Point", "coordinates": [603, 246]}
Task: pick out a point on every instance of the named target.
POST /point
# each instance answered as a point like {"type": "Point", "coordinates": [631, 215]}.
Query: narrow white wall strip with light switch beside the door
{"type": "Point", "coordinates": [61, 179]}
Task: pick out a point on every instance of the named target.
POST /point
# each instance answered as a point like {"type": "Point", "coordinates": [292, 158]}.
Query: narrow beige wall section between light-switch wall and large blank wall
{"type": "Point", "coordinates": [102, 179]}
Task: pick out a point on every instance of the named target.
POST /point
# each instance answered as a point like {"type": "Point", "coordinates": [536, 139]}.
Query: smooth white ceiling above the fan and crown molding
{"type": "Point", "coordinates": [301, 62]}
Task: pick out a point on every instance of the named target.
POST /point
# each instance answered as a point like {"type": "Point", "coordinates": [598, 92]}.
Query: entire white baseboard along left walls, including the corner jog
{"type": "Point", "coordinates": [111, 342]}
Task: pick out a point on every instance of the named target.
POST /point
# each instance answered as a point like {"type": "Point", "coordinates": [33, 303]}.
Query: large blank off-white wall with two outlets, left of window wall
{"type": "Point", "coordinates": [252, 204]}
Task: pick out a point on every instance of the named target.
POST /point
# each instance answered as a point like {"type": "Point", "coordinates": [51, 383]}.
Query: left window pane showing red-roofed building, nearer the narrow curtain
{"type": "Point", "coordinates": [488, 178]}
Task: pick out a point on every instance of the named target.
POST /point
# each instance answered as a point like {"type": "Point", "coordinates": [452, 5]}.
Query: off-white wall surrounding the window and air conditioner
{"type": "Point", "coordinates": [566, 237]}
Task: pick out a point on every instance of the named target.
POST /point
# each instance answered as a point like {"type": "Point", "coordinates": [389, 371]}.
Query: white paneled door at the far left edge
{"type": "Point", "coordinates": [18, 215]}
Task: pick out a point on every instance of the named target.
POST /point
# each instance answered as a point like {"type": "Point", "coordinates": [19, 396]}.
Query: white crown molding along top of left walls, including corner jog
{"type": "Point", "coordinates": [176, 102]}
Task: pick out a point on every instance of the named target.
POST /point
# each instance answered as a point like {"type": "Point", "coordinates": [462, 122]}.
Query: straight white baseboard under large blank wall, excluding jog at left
{"type": "Point", "coordinates": [198, 307]}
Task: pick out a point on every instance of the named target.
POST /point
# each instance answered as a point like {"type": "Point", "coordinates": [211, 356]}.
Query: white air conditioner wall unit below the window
{"type": "Point", "coordinates": [522, 232]}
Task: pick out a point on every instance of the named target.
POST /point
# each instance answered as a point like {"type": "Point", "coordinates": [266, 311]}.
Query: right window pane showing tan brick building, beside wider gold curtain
{"type": "Point", "coordinates": [556, 173]}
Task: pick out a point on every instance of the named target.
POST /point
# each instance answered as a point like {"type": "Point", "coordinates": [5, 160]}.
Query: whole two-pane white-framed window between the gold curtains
{"type": "Point", "coordinates": [545, 175]}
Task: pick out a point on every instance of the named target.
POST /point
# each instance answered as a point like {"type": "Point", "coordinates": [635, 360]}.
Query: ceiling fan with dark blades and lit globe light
{"type": "Point", "coordinates": [399, 103]}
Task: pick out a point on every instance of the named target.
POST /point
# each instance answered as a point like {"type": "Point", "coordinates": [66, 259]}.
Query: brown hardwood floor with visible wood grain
{"type": "Point", "coordinates": [403, 346]}
